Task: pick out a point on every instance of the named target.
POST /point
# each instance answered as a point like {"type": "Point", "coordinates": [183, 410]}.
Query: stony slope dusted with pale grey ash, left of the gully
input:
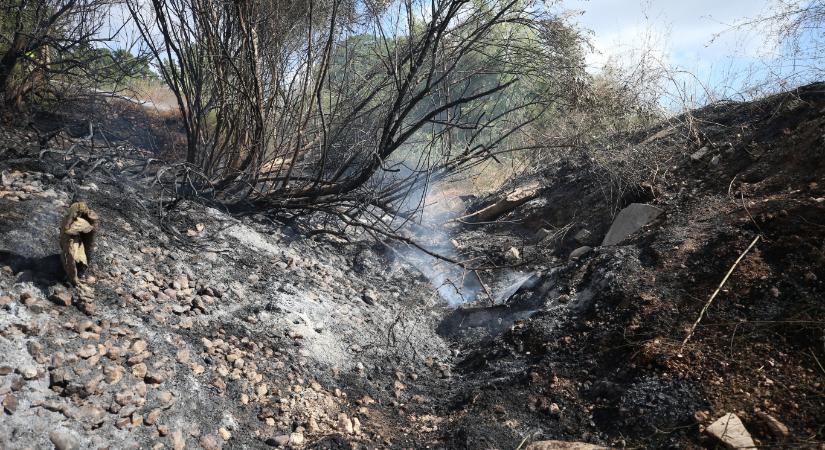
{"type": "Point", "coordinates": [201, 329]}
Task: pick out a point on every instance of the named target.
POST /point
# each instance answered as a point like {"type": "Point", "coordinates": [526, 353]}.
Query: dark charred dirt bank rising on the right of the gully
{"type": "Point", "coordinates": [603, 361]}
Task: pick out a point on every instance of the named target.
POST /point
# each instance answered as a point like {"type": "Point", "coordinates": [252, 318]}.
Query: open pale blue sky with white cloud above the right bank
{"type": "Point", "coordinates": [683, 34]}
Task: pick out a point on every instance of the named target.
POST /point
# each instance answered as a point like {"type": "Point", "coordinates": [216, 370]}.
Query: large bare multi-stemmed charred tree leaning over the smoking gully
{"type": "Point", "coordinates": [342, 103]}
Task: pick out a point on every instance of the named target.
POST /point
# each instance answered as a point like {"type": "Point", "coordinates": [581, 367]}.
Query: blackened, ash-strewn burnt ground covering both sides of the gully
{"type": "Point", "coordinates": [600, 359]}
